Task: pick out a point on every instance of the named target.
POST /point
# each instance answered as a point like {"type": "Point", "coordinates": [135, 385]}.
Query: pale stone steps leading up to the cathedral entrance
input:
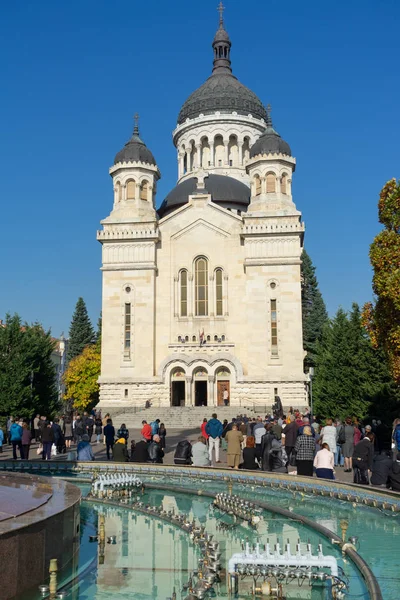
{"type": "Point", "coordinates": [184, 417]}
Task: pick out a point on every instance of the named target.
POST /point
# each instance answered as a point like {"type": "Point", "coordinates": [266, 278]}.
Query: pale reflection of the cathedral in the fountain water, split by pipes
{"type": "Point", "coordinates": [151, 558]}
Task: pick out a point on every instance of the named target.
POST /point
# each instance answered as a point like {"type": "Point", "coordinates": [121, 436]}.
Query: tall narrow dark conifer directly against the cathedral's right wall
{"type": "Point", "coordinates": [313, 309]}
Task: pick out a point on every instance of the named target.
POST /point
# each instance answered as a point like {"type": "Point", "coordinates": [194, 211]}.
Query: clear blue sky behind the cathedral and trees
{"type": "Point", "coordinates": [73, 74]}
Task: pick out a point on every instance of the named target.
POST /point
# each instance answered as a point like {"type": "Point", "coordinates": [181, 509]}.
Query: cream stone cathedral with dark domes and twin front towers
{"type": "Point", "coordinates": [202, 297]}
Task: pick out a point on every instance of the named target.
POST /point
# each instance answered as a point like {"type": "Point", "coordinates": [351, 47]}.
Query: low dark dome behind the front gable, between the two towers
{"type": "Point", "coordinates": [226, 191]}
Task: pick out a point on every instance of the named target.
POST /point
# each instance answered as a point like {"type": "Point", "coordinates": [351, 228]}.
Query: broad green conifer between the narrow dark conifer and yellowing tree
{"type": "Point", "coordinates": [351, 375]}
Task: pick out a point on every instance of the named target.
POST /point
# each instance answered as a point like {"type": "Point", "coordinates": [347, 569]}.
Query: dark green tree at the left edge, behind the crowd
{"type": "Point", "coordinates": [27, 372]}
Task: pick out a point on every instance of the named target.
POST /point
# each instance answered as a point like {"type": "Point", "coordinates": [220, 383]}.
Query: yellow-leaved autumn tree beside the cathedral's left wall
{"type": "Point", "coordinates": [80, 378]}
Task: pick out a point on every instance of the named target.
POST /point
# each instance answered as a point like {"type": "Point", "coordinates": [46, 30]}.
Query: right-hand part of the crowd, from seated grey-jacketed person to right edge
{"type": "Point", "coordinates": [370, 452]}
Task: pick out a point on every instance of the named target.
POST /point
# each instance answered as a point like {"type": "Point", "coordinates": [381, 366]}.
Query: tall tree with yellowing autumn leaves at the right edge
{"type": "Point", "coordinates": [382, 319]}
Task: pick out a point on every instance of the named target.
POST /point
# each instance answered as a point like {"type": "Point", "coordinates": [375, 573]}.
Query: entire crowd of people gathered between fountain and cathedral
{"type": "Point", "coordinates": [274, 443]}
